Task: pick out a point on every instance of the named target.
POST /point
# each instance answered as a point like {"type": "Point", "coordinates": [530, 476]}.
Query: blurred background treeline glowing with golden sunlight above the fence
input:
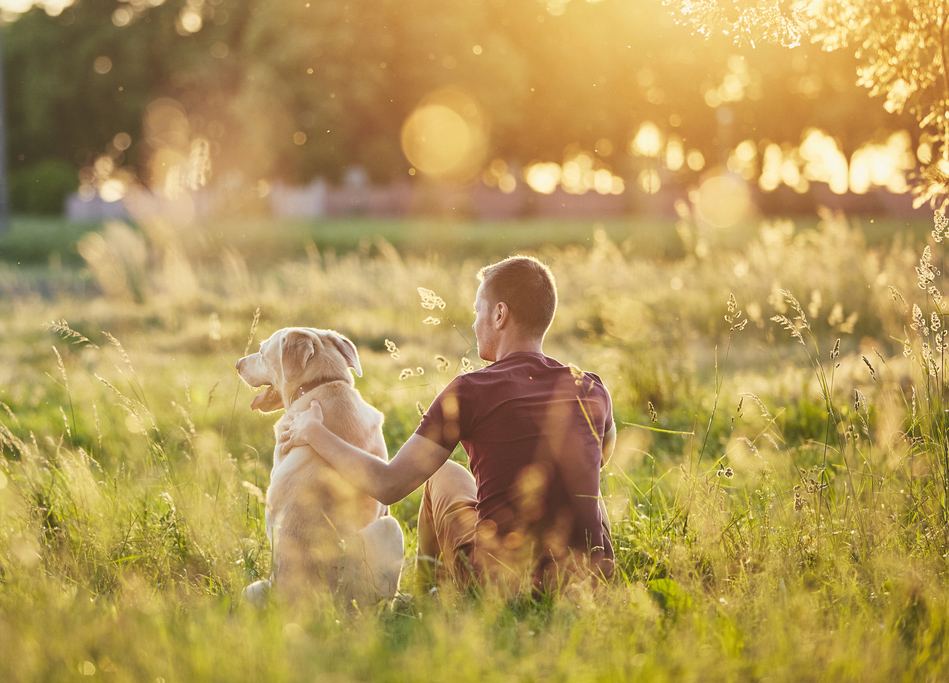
{"type": "Point", "coordinates": [571, 97]}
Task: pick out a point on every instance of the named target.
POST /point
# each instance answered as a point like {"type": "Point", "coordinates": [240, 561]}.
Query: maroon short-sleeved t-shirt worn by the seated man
{"type": "Point", "coordinates": [533, 430]}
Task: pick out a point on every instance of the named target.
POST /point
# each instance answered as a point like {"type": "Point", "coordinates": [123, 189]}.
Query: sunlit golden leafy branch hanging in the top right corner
{"type": "Point", "coordinates": [901, 49]}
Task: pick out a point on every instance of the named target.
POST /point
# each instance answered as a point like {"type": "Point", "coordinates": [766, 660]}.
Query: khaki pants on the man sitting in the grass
{"type": "Point", "coordinates": [447, 528]}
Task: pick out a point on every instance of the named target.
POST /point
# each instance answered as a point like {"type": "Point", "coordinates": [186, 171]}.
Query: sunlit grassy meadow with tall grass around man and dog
{"type": "Point", "coordinates": [779, 492]}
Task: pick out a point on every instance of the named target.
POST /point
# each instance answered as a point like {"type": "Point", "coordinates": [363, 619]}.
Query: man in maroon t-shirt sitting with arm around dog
{"type": "Point", "coordinates": [536, 433]}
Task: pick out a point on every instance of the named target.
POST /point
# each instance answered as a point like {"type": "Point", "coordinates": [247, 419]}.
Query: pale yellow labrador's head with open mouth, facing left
{"type": "Point", "coordinates": [294, 357]}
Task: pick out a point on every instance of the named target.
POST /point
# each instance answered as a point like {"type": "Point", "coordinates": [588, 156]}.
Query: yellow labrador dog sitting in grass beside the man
{"type": "Point", "coordinates": [324, 532]}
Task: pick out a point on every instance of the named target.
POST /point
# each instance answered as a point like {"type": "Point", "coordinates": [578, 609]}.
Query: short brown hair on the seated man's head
{"type": "Point", "coordinates": [527, 287]}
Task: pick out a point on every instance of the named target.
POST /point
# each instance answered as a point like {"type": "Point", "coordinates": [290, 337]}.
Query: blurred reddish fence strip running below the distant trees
{"type": "Point", "coordinates": [321, 200]}
